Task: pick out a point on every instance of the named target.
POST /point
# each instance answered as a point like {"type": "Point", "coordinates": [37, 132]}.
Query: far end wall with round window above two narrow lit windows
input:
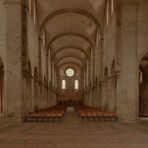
{"type": "Point", "coordinates": [70, 85]}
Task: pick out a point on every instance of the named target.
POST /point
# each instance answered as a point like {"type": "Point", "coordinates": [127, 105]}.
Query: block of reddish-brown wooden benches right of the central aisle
{"type": "Point", "coordinates": [90, 113]}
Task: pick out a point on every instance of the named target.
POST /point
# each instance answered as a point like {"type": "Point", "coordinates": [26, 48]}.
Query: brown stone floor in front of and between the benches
{"type": "Point", "coordinates": [72, 132]}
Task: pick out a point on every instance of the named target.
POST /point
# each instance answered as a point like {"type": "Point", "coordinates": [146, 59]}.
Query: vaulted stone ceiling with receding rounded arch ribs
{"type": "Point", "coordinates": [71, 27]}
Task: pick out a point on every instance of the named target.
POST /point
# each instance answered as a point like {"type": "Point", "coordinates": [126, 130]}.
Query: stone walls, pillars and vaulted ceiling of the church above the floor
{"type": "Point", "coordinates": [91, 52]}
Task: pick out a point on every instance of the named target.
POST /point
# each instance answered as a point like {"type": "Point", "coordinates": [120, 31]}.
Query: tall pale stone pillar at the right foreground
{"type": "Point", "coordinates": [128, 91]}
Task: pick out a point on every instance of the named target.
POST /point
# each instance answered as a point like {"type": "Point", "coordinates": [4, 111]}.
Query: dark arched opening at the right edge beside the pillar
{"type": "Point", "coordinates": [143, 87]}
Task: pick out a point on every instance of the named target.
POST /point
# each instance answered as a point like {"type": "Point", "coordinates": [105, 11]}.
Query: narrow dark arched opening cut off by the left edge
{"type": "Point", "coordinates": [1, 87]}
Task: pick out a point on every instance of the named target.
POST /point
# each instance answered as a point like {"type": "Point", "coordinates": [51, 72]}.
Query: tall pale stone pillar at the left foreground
{"type": "Point", "coordinates": [14, 57]}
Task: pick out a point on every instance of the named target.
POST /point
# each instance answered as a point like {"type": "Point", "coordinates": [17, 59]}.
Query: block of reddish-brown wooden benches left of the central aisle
{"type": "Point", "coordinates": [54, 113]}
